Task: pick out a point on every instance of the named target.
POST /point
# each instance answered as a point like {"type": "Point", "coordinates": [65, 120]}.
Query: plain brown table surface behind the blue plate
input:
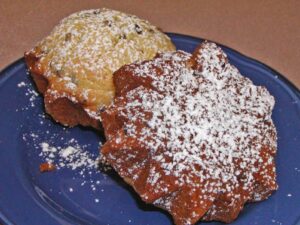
{"type": "Point", "coordinates": [267, 30]}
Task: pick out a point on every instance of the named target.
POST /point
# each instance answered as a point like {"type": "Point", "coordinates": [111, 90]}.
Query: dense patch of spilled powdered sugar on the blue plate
{"type": "Point", "coordinates": [70, 155]}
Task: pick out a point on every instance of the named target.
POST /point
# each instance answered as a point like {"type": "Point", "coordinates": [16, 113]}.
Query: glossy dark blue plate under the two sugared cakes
{"type": "Point", "coordinates": [28, 197]}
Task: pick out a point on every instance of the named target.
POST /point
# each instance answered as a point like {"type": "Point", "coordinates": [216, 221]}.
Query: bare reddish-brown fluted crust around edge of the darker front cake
{"type": "Point", "coordinates": [180, 202]}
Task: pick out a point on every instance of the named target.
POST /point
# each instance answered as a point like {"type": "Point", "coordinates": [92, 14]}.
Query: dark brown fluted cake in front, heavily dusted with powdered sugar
{"type": "Point", "coordinates": [192, 135]}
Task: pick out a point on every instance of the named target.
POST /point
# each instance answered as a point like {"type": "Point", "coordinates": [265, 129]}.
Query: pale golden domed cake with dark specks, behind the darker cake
{"type": "Point", "coordinates": [73, 66]}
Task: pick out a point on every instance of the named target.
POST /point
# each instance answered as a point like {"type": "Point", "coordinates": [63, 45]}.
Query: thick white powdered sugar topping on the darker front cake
{"type": "Point", "coordinates": [212, 123]}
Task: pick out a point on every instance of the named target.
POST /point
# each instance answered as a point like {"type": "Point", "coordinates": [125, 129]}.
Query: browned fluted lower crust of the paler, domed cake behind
{"type": "Point", "coordinates": [61, 109]}
